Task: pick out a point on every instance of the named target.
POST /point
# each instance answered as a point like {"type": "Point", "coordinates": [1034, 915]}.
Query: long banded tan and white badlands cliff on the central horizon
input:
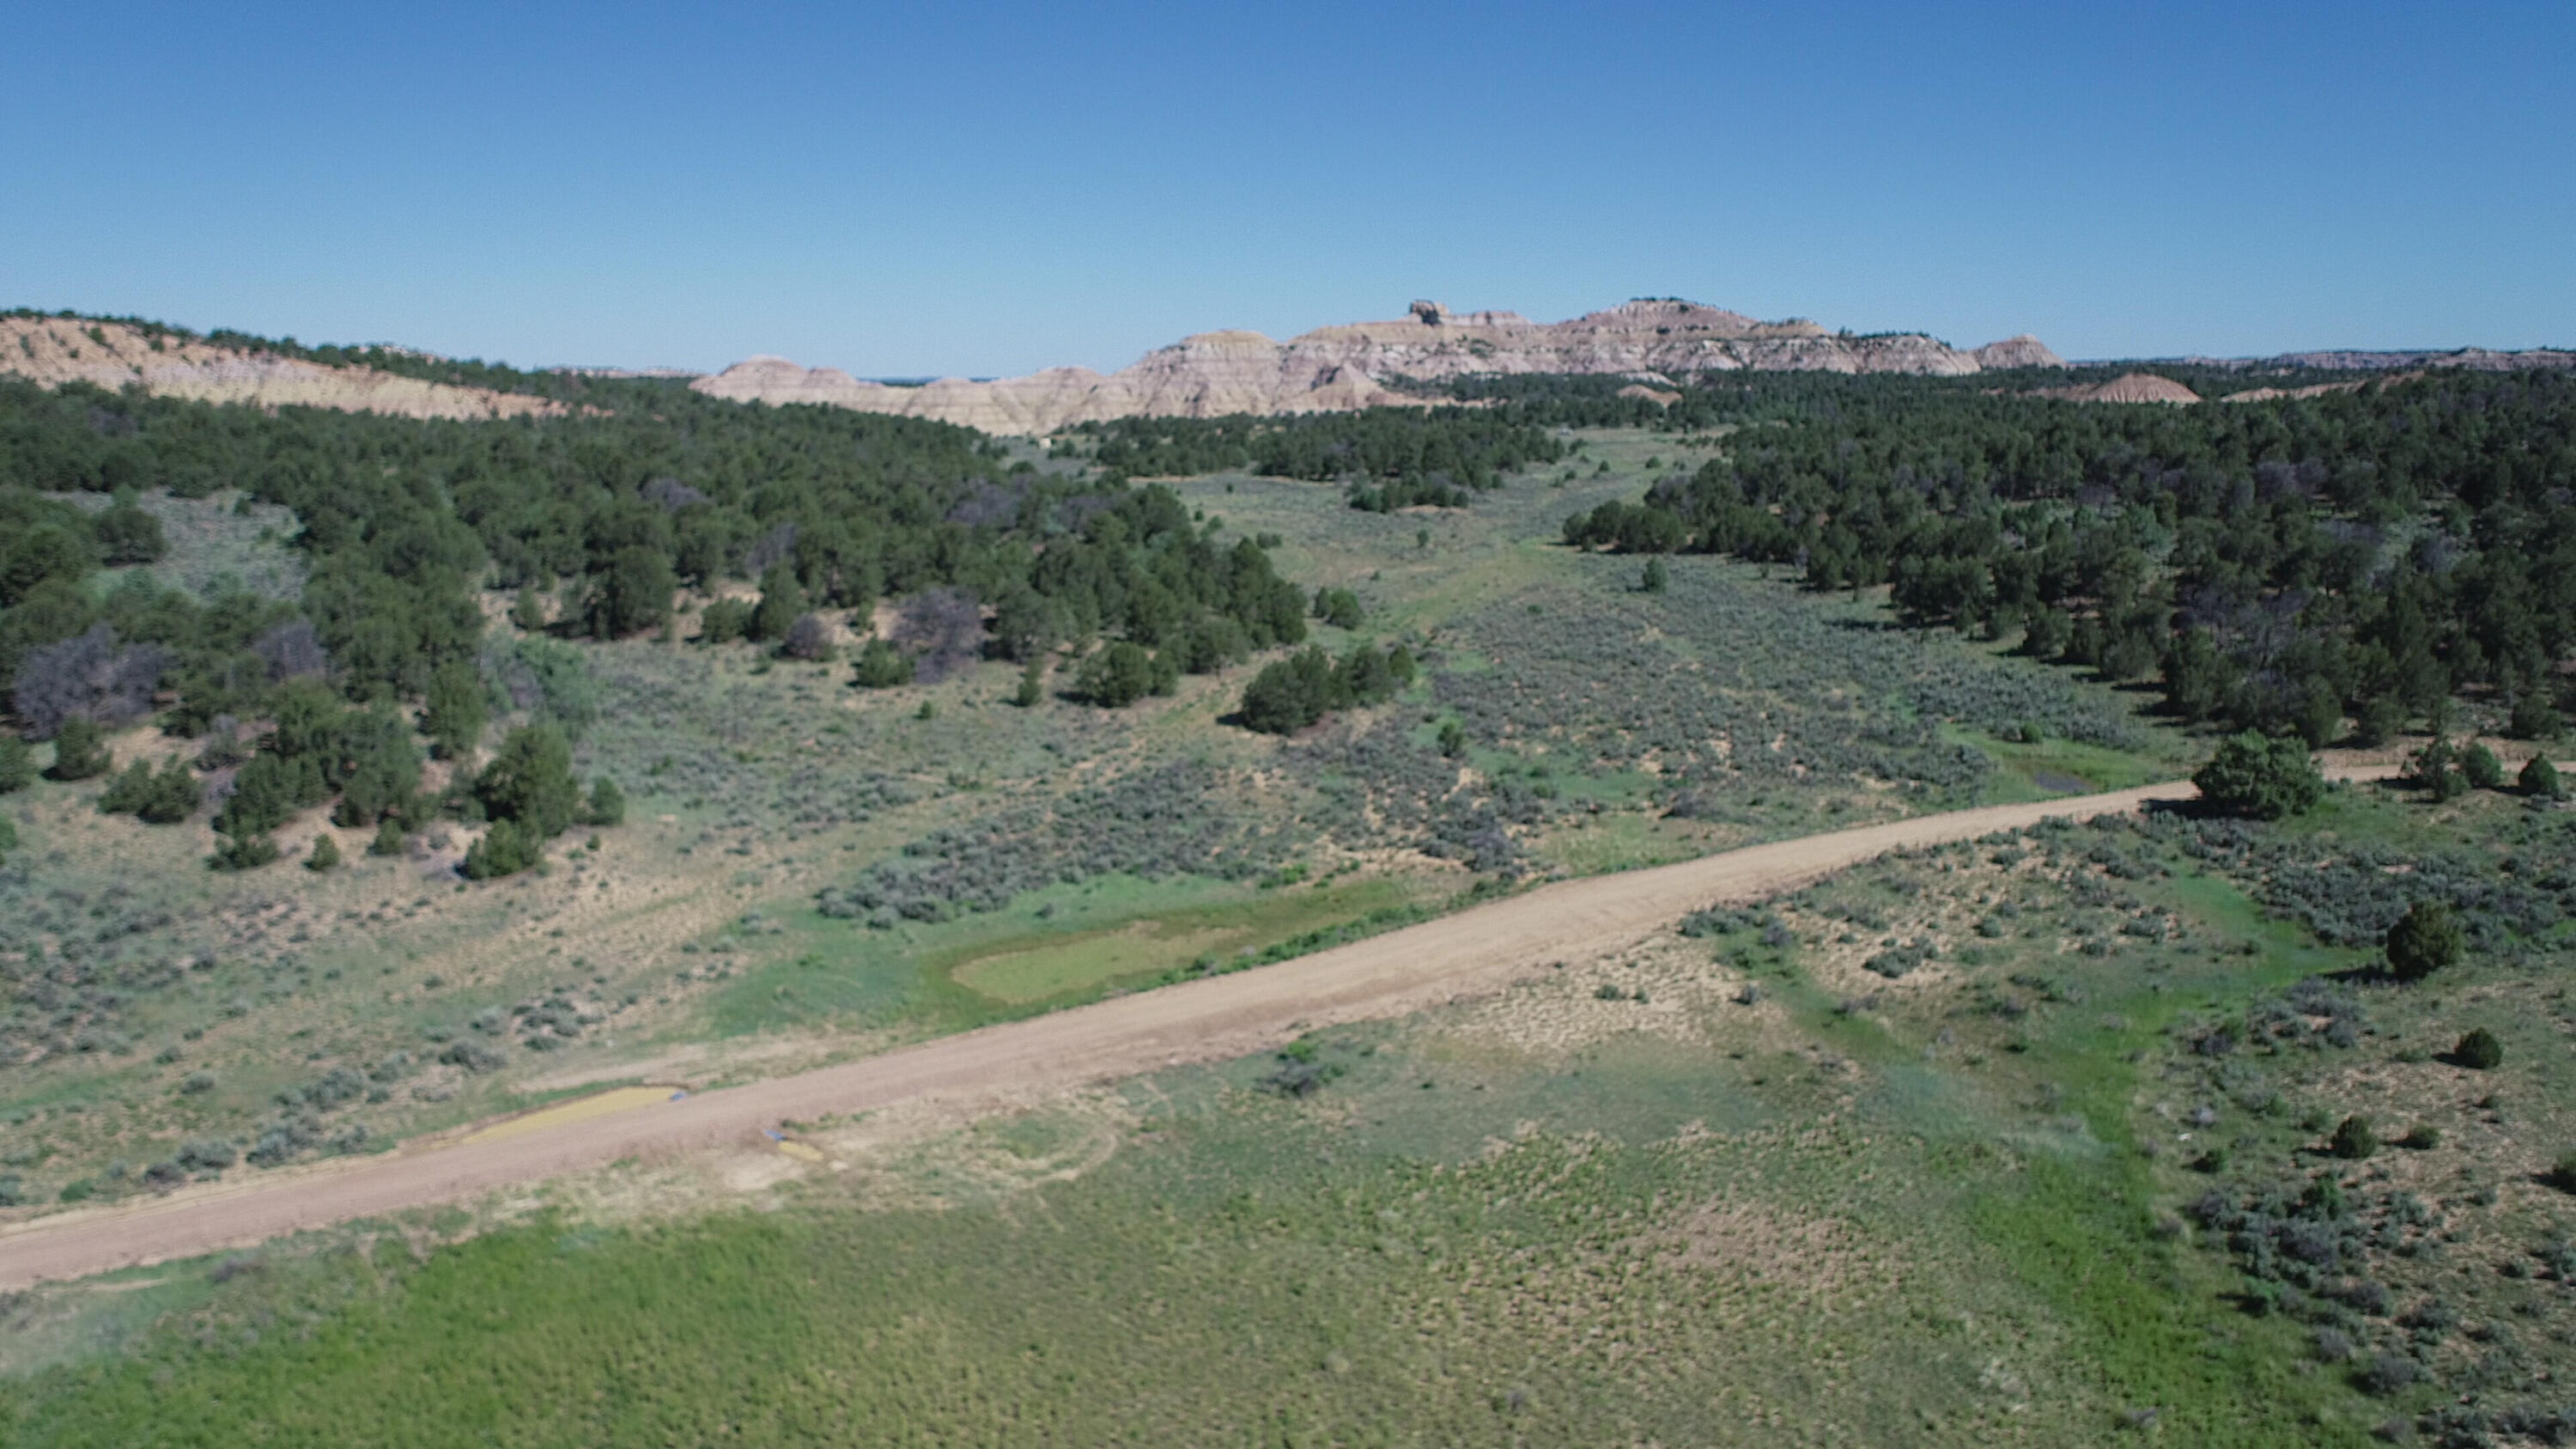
{"type": "Point", "coordinates": [1364, 365]}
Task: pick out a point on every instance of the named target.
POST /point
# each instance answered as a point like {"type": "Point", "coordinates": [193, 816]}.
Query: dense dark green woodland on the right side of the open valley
{"type": "Point", "coordinates": [2278, 566]}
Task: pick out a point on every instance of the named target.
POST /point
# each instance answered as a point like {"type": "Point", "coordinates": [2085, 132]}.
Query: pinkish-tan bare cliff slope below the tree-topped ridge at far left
{"type": "Point", "coordinates": [117, 355]}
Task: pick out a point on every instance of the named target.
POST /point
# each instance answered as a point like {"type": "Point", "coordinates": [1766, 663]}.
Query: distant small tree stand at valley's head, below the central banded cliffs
{"type": "Point", "coordinates": [1392, 458]}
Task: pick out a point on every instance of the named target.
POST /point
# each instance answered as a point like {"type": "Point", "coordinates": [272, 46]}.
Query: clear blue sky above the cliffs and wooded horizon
{"type": "Point", "coordinates": [985, 190]}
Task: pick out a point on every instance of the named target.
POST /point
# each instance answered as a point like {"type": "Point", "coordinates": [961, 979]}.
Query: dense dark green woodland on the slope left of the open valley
{"type": "Point", "coordinates": [614, 507]}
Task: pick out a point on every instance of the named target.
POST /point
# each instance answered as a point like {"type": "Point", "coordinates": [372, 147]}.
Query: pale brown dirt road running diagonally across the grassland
{"type": "Point", "coordinates": [1197, 1022]}
